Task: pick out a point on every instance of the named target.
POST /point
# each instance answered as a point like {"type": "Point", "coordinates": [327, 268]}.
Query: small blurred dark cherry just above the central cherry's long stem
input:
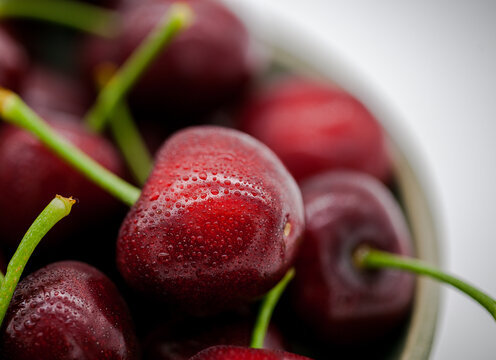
{"type": "Point", "coordinates": [44, 88]}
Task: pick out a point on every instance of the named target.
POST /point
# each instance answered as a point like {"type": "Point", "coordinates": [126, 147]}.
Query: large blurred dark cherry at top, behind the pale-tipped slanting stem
{"type": "Point", "coordinates": [207, 65]}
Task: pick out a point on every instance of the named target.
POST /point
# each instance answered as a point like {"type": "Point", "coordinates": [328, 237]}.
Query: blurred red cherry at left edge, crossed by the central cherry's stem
{"type": "Point", "coordinates": [30, 176]}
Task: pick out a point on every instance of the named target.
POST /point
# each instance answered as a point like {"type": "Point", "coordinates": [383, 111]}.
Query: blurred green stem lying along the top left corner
{"type": "Point", "coordinates": [72, 14]}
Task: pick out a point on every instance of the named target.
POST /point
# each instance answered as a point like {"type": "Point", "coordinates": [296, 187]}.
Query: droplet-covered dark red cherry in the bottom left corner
{"type": "Point", "coordinates": [68, 310]}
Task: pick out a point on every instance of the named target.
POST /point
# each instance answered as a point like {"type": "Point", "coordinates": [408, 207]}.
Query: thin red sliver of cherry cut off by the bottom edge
{"type": "Point", "coordinates": [244, 353]}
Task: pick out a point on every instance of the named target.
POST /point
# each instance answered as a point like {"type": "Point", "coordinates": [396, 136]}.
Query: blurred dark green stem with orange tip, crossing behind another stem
{"type": "Point", "coordinates": [126, 133]}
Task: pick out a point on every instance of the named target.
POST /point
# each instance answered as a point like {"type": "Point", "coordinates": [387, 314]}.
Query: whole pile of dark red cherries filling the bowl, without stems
{"type": "Point", "coordinates": [294, 173]}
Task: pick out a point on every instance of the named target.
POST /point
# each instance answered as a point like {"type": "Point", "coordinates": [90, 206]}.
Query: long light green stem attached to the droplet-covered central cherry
{"type": "Point", "coordinates": [13, 110]}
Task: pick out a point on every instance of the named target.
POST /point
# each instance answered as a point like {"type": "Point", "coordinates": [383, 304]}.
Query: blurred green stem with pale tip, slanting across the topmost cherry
{"type": "Point", "coordinates": [178, 17]}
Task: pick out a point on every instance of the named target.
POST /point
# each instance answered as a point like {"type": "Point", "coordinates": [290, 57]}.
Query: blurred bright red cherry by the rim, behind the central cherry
{"type": "Point", "coordinates": [314, 127]}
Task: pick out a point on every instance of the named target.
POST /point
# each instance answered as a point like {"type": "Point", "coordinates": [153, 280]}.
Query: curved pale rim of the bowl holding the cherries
{"type": "Point", "coordinates": [294, 48]}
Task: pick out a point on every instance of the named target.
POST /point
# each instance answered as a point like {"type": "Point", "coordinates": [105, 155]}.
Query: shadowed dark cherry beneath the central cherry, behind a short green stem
{"type": "Point", "coordinates": [182, 340]}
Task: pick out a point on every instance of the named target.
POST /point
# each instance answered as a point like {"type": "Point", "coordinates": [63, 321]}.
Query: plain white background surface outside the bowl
{"type": "Point", "coordinates": [434, 62]}
